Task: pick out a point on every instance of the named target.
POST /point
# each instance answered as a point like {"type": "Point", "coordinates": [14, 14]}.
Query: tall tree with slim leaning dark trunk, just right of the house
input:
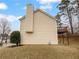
{"type": "Point", "coordinates": [64, 7]}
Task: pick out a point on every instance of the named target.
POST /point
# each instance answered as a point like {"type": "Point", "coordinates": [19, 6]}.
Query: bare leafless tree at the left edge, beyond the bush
{"type": "Point", "coordinates": [4, 29]}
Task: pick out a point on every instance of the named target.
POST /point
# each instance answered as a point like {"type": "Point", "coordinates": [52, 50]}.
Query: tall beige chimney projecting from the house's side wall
{"type": "Point", "coordinates": [29, 19]}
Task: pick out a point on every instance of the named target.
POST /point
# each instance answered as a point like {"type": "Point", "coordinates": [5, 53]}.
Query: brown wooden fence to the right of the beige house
{"type": "Point", "coordinates": [73, 40]}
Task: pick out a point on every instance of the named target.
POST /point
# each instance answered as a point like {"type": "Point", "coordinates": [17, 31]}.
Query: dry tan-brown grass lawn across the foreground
{"type": "Point", "coordinates": [40, 52]}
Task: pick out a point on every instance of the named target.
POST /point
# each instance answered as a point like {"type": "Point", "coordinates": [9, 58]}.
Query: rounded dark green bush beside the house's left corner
{"type": "Point", "coordinates": [15, 38]}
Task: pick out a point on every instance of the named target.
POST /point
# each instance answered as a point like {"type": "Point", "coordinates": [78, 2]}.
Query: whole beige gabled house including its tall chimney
{"type": "Point", "coordinates": [37, 27]}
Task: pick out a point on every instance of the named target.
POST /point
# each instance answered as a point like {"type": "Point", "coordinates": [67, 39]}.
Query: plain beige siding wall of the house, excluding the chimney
{"type": "Point", "coordinates": [45, 30]}
